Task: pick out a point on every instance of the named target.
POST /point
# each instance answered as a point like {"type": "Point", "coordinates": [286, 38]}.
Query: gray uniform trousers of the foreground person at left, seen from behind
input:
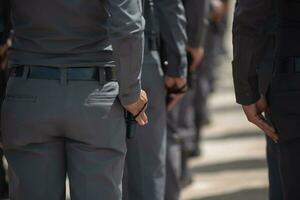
{"type": "Point", "coordinates": [52, 128]}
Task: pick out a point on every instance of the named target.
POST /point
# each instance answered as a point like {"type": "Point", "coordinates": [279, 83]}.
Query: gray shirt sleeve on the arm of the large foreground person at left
{"type": "Point", "coordinates": [126, 26]}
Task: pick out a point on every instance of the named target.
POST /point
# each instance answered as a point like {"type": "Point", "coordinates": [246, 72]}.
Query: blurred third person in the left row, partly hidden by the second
{"type": "Point", "coordinates": [196, 13]}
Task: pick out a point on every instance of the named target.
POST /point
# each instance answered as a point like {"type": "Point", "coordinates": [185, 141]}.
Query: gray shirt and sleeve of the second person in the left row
{"type": "Point", "coordinates": [168, 21]}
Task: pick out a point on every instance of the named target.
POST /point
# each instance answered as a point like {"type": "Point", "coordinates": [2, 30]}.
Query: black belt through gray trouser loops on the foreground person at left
{"type": "Point", "coordinates": [102, 74]}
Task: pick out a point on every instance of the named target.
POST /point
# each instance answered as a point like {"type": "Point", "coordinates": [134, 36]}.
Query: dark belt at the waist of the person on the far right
{"type": "Point", "coordinates": [288, 65]}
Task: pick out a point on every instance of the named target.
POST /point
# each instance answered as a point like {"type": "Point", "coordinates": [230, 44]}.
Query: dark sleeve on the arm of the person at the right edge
{"type": "Point", "coordinates": [249, 37]}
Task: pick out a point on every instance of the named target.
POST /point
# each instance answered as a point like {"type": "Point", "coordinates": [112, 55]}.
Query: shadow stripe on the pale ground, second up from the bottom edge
{"type": "Point", "coordinates": [249, 164]}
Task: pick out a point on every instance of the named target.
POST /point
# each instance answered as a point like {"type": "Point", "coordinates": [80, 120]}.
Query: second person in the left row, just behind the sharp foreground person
{"type": "Point", "coordinates": [146, 156]}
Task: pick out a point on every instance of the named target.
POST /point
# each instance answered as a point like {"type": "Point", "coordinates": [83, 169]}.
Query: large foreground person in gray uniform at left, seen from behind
{"type": "Point", "coordinates": [63, 110]}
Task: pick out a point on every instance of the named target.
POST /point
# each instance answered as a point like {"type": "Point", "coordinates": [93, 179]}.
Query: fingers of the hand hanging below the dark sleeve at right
{"type": "Point", "coordinates": [262, 123]}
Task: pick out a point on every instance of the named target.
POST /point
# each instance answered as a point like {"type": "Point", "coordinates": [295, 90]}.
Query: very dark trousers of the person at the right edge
{"type": "Point", "coordinates": [284, 101]}
